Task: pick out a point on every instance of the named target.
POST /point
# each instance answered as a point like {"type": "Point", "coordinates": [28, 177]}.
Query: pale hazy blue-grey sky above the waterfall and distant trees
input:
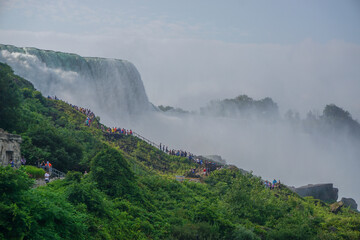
{"type": "Point", "coordinates": [303, 54]}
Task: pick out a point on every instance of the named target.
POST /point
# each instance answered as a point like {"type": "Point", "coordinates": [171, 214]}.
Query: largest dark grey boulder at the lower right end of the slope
{"type": "Point", "coordinates": [325, 192]}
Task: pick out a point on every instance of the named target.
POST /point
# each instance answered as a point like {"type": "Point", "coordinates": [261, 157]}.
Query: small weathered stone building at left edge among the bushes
{"type": "Point", "coordinates": [9, 148]}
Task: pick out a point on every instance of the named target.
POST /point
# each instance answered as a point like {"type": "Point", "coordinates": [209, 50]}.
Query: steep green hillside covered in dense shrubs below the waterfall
{"type": "Point", "coordinates": [130, 191]}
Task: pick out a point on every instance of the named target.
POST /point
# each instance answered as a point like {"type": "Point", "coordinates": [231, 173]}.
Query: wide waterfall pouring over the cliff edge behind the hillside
{"type": "Point", "coordinates": [111, 88]}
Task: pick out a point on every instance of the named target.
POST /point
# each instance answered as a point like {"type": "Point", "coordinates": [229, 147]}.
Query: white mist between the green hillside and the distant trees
{"type": "Point", "coordinates": [274, 149]}
